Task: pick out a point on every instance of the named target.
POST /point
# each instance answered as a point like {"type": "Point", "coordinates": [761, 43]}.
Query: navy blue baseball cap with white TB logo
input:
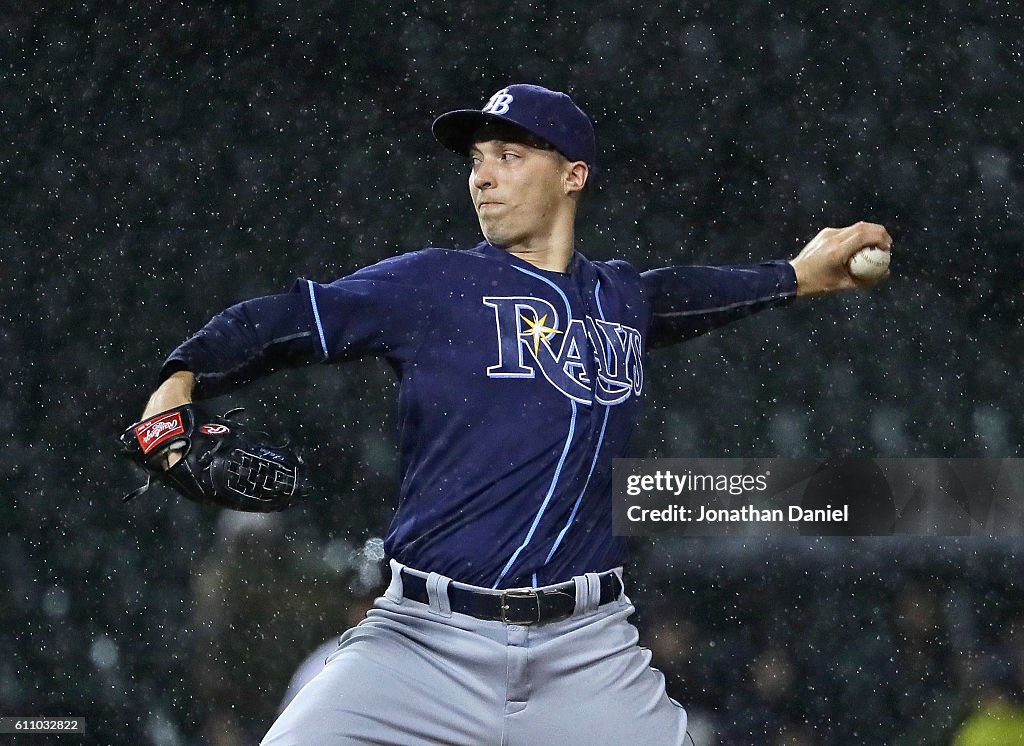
{"type": "Point", "coordinates": [545, 114]}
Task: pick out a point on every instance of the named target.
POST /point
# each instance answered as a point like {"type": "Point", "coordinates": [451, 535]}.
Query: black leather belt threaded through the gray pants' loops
{"type": "Point", "coordinates": [524, 606]}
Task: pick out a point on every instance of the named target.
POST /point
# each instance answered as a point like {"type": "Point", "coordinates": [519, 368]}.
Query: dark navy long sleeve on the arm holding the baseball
{"type": "Point", "coordinates": [688, 302]}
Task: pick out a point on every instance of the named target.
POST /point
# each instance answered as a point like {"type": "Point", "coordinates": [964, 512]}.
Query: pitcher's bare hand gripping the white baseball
{"type": "Point", "coordinates": [822, 266]}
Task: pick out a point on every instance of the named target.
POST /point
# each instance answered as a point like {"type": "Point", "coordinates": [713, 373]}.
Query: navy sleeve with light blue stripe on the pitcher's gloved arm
{"type": "Point", "coordinates": [375, 312]}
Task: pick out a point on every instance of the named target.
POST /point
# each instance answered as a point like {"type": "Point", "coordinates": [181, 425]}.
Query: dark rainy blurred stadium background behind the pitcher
{"type": "Point", "coordinates": [162, 161]}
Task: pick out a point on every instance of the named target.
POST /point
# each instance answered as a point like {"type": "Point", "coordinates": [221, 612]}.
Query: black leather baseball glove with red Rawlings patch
{"type": "Point", "coordinates": [223, 463]}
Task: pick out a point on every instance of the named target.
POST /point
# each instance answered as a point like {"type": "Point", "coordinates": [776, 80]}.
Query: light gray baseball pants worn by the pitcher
{"type": "Point", "coordinates": [414, 675]}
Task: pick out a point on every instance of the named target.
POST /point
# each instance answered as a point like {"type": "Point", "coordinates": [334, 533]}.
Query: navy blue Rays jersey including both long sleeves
{"type": "Point", "coordinates": [518, 388]}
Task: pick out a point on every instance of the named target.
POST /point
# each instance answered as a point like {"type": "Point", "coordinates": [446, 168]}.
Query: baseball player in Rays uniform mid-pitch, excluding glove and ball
{"type": "Point", "coordinates": [521, 371]}
